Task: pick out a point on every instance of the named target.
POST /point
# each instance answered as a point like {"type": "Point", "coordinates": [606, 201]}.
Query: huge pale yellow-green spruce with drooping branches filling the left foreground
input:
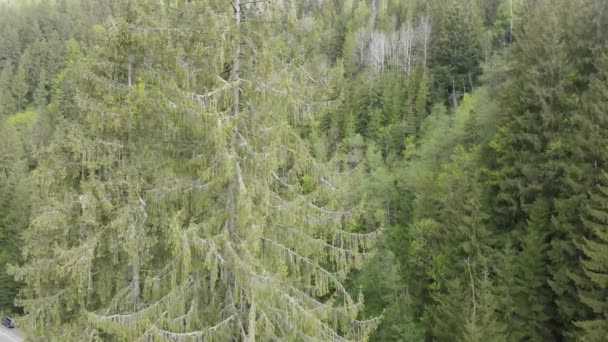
{"type": "Point", "coordinates": [182, 203]}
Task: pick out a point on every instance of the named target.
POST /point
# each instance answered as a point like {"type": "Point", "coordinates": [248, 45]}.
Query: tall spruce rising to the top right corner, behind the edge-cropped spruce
{"type": "Point", "coordinates": [581, 141]}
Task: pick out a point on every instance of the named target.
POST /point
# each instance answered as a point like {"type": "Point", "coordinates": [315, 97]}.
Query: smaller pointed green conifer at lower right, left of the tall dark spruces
{"type": "Point", "coordinates": [467, 243]}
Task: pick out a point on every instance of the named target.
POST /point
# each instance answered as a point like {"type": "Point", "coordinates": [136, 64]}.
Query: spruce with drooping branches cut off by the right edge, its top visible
{"type": "Point", "coordinates": [587, 172]}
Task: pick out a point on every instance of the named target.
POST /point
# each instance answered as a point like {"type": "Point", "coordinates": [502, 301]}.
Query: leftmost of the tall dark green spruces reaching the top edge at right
{"type": "Point", "coordinates": [529, 147]}
